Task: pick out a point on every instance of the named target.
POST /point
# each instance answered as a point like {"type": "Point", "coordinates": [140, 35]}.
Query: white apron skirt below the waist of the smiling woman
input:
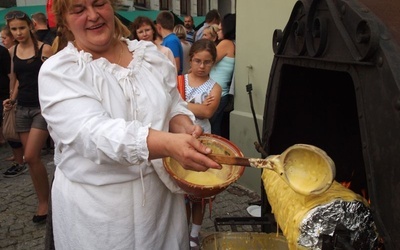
{"type": "Point", "coordinates": [114, 217]}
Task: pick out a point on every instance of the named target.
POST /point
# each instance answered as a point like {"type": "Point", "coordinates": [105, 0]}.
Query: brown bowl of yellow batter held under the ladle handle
{"type": "Point", "coordinates": [212, 181]}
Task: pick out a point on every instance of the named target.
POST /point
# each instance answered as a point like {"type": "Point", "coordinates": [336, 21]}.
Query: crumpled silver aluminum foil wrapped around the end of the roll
{"type": "Point", "coordinates": [324, 219]}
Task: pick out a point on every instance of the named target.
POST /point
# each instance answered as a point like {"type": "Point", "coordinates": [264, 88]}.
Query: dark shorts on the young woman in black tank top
{"type": "Point", "coordinates": [29, 117]}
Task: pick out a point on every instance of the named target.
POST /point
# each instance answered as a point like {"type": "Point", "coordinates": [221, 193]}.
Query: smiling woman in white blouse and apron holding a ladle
{"type": "Point", "coordinates": [114, 111]}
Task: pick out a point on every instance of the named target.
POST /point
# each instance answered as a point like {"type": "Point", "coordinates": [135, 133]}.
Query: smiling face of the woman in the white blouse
{"type": "Point", "coordinates": [92, 23]}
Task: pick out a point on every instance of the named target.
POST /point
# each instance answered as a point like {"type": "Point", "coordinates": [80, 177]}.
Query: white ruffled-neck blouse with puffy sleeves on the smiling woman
{"type": "Point", "coordinates": [99, 113]}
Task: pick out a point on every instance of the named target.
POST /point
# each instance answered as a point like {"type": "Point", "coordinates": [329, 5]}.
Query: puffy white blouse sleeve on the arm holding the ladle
{"type": "Point", "coordinates": [79, 116]}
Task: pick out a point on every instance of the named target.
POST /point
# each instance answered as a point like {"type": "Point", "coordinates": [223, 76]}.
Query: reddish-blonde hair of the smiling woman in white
{"type": "Point", "coordinates": [61, 7]}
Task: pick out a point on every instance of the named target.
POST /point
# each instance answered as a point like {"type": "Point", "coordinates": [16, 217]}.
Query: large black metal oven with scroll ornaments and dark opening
{"type": "Point", "coordinates": [335, 84]}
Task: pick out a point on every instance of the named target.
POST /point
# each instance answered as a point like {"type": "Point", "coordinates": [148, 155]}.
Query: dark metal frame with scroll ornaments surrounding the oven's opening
{"type": "Point", "coordinates": [346, 37]}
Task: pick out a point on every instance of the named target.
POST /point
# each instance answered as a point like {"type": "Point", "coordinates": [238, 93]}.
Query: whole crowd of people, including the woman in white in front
{"type": "Point", "coordinates": [106, 95]}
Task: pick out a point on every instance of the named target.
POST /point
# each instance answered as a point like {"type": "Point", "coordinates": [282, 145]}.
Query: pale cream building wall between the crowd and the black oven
{"type": "Point", "coordinates": [254, 57]}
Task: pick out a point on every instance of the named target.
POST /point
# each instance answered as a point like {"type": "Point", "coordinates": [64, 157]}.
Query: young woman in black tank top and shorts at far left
{"type": "Point", "coordinates": [27, 57]}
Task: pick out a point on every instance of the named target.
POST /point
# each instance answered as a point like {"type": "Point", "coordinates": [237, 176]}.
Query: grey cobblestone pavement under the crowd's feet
{"type": "Point", "coordinates": [18, 205]}
